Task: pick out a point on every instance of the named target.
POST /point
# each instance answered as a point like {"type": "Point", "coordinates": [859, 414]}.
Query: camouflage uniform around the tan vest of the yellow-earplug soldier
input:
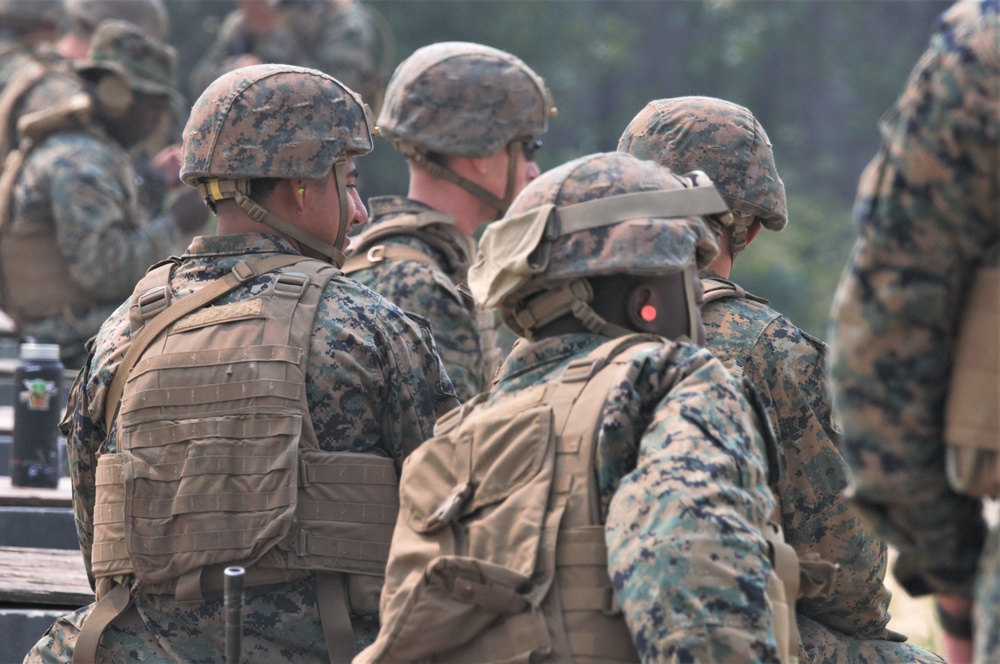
{"type": "Point", "coordinates": [374, 384]}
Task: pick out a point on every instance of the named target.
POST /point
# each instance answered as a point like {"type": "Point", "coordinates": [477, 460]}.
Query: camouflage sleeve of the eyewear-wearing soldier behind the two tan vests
{"type": "Point", "coordinates": [416, 287]}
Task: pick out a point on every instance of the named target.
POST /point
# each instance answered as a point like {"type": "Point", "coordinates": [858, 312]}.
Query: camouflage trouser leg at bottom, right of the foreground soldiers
{"type": "Point", "coordinates": [821, 644]}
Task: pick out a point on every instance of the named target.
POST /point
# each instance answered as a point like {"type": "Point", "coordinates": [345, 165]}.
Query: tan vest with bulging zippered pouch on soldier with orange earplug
{"type": "Point", "coordinates": [499, 553]}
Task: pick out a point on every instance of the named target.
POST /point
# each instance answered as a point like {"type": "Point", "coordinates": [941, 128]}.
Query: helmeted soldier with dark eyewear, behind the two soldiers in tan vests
{"type": "Point", "coordinates": [467, 117]}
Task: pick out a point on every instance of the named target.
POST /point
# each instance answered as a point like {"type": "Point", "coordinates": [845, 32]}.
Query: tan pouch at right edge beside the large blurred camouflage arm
{"type": "Point", "coordinates": [972, 412]}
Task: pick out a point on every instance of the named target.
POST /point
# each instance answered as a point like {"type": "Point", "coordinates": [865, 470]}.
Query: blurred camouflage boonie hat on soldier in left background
{"type": "Point", "coordinates": [143, 62]}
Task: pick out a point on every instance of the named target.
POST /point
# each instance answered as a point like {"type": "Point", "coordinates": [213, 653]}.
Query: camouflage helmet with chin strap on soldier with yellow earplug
{"type": "Point", "coordinates": [274, 121]}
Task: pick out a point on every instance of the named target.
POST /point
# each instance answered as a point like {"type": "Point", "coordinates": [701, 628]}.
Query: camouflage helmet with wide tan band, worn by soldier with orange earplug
{"type": "Point", "coordinates": [600, 215]}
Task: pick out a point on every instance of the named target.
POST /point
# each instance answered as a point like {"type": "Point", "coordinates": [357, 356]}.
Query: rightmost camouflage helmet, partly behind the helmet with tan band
{"type": "Point", "coordinates": [723, 139]}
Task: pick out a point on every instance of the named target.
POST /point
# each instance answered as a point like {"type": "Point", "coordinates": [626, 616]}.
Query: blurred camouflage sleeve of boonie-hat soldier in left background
{"type": "Point", "coordinates": [107, 248]}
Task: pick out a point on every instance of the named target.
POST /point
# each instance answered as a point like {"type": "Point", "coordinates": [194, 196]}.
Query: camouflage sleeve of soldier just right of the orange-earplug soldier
{"type": "Point", "coordinates": [788, 370]}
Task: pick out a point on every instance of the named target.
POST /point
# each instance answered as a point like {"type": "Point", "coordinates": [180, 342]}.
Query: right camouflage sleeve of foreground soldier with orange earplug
{"type": "Point", "coordinates": [685, 549]}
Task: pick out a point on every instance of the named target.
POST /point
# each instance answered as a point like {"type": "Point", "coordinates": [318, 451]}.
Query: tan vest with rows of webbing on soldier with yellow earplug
{"type": "Point", "coordinates": [218, 463]}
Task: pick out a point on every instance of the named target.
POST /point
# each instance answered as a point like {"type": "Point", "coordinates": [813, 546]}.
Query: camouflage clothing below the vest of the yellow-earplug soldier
{"type": "Point", "coordinates": [277, 627]}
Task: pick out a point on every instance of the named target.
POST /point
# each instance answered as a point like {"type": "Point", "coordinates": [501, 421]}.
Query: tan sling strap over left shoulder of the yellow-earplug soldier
{"type": "Point", "coordinates": [242, 273]}
